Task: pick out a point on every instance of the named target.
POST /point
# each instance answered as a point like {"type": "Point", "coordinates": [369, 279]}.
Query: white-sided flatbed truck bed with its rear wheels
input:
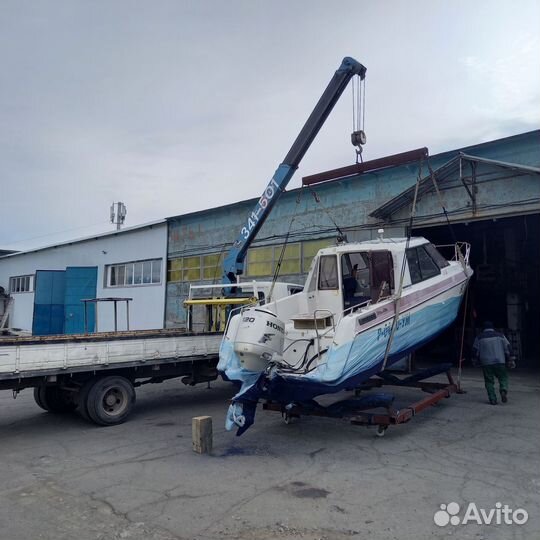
{"type": "Point", "coordinates": [97, 373]}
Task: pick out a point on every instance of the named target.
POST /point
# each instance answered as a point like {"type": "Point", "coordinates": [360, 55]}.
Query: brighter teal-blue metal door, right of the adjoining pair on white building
{"type": "Point", "coordinates": [81, 283]}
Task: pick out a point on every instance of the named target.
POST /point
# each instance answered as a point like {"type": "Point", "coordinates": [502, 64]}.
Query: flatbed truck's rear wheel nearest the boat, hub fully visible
{"type": "Point", "coordinates": [110, 400]}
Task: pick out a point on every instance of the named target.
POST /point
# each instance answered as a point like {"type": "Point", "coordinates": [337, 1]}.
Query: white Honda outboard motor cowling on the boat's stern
{"type": "Point", "coordinates": [260, 335]}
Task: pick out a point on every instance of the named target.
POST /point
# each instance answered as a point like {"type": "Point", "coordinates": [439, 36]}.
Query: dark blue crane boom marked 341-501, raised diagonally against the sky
{"type": "Point", "coordinates": [233, 263]}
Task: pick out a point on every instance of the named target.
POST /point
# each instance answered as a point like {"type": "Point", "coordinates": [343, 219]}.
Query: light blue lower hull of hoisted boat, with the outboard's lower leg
{"type": "Point", "coordinates": [423, 315]}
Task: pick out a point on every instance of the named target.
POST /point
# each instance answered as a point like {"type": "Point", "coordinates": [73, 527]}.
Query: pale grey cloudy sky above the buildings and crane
{"type": "Point", "coordinates": [177, 106]}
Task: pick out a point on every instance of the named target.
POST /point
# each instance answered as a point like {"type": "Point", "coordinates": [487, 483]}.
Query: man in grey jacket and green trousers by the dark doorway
{"type": "Point", "coordinates": [491, 349]}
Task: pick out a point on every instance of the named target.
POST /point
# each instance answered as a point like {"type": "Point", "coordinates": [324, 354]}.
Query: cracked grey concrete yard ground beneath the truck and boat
{"type": "Point", "coordinates": [315, 478]}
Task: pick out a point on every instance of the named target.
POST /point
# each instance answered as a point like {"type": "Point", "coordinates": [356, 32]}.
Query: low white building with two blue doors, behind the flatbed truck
{"type": "Point", "coordinates": [45, 286]}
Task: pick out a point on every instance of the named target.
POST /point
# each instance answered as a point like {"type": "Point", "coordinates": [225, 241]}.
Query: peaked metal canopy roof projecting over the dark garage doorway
{"type": "Point", "coordinates": [444, 174]}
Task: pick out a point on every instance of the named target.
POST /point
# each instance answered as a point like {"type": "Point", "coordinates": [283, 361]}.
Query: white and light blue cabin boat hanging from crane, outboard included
{"type": "Point", "coordinates": [364, 307]}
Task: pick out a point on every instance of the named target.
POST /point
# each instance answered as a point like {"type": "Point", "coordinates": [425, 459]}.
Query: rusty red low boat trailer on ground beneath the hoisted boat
{"type": "Point", "coordinates": [360, 410]}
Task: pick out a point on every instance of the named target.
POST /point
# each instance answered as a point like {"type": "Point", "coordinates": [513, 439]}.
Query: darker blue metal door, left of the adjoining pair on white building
{"type": "Point", "coordinates": [49, 291]}
